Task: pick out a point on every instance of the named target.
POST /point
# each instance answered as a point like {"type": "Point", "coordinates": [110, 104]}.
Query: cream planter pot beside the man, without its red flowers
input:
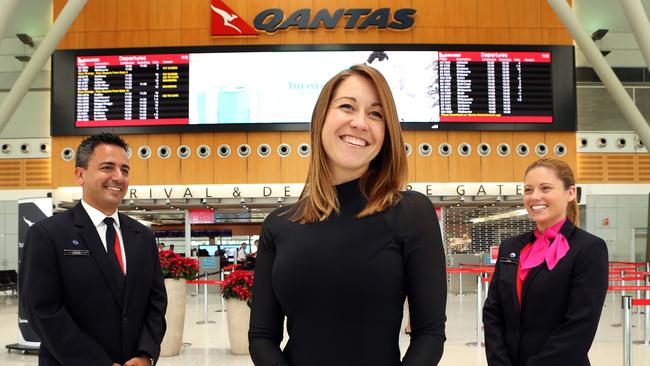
{"type": "Point", "coordinates": [175, 317]}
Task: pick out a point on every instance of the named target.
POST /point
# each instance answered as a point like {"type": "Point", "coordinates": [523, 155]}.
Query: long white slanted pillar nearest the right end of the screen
{"type": "Point", "coordinates": [602, 69]}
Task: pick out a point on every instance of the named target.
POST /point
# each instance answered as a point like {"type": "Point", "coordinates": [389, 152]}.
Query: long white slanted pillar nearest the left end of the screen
{"type": "Point", "coordinates": [40, 56]}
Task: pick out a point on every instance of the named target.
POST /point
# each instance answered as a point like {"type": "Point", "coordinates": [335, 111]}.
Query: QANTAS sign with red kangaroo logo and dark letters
{"type": "Point", "coordinates": [225, 22]}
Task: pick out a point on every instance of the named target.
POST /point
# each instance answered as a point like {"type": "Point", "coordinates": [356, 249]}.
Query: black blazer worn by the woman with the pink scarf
{"type": "Point", "coordinates": [558, 318]}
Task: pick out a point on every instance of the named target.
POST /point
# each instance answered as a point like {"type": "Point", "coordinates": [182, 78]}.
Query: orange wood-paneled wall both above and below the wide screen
{"type": "Point", "coordinates": [152, 23]}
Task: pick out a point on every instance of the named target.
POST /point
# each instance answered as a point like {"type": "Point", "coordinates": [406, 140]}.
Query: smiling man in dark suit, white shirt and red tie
{"type": "Point", "coordinates": [90, 279]}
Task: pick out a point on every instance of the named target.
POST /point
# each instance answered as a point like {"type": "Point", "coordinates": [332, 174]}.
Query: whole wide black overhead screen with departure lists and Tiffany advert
{"type": "Point", "coordinates": [263, 88]}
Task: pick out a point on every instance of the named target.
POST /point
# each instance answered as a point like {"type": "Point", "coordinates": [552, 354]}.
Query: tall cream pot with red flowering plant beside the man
{"type": "Point", "coordinates": [176, 270]}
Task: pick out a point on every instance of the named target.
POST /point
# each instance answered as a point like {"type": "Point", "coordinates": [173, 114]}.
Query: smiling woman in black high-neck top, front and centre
{"type": "Point", "coordinates": [339, 263]}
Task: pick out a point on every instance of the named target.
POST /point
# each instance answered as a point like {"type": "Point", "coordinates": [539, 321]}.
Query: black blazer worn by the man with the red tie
{"type": "Point", "coordinates": [83, 308]}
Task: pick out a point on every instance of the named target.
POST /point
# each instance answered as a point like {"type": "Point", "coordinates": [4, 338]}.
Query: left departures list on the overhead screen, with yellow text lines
{"type": "Point", "coordinates": [132, 90]}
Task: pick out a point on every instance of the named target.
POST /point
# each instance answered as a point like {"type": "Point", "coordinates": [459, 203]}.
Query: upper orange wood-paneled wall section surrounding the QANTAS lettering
{"type": "Point", "coordinates": [142, 23]}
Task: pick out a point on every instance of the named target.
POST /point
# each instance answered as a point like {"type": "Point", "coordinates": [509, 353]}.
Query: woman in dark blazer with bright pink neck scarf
{"type": "Point", "coordinates": [549, 285]}
